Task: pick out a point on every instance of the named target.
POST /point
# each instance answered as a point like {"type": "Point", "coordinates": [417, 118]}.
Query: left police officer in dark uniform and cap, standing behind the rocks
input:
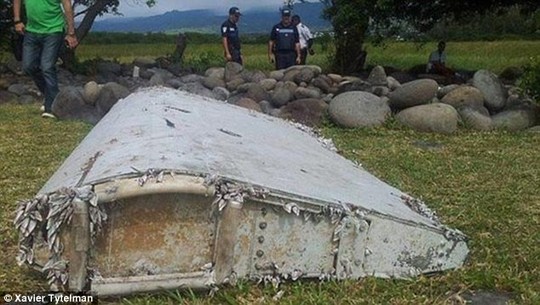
{"type": "Point", "coordinates": [231, 39]}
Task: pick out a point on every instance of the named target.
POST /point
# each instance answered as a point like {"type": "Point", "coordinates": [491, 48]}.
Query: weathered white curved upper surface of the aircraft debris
{"type": "Point", "coordinates": [170, 129]}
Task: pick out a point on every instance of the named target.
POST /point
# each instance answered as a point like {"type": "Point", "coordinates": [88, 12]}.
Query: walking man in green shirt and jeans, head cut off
{"type": "Point", "coordinates": [44, 33]}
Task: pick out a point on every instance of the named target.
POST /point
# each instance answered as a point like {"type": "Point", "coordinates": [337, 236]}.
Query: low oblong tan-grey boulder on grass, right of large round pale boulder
{"type": "Point", "coordinates": [437, 118]}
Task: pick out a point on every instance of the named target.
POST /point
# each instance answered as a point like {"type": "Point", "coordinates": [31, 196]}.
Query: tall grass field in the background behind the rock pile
{"type": "Point", "coordinates": [494, 56]}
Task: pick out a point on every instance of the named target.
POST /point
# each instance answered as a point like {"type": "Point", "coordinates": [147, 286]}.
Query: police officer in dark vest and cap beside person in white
{"type": "Point", "coordinates": [284, 44]}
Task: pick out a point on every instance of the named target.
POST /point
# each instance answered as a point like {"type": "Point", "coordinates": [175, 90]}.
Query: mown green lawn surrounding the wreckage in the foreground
{"type": "Point", "coordinates": [485, 184]}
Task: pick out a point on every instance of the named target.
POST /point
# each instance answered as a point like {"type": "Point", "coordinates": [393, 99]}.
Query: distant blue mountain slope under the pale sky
{"type": "Point", "coordinates": [207, 21]}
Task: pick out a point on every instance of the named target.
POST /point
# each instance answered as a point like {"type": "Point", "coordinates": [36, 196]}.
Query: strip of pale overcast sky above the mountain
{"type": "Point", "coordinates": [130, 8]}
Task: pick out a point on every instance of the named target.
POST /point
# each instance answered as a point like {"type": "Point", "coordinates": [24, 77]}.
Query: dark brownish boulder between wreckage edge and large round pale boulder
{"type": "Point", "coordinates": [308, 111]}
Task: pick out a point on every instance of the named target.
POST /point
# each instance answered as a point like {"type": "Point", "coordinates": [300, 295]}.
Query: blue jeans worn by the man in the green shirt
{"type": "Point", "coordinates": [40, 52]}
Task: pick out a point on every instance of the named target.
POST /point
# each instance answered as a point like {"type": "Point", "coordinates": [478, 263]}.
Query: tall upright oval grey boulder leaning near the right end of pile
{"type": "Point", "coordinates": [492, 89]}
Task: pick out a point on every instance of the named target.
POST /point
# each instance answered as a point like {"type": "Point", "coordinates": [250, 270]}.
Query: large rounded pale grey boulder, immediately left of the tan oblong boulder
{"type": "Point", "coordinates": [358, 109]}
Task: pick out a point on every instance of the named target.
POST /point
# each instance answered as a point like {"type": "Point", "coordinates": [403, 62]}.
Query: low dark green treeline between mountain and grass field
{"type": "Point", "coordinates": [104, 38]}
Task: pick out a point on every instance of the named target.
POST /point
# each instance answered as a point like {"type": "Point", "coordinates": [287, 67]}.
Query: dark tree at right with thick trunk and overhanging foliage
{"type": "Point", "coordinates": [353, 19]}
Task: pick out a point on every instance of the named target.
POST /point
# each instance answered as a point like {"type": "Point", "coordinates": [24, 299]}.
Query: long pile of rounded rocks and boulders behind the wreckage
{"type": "Point", "coordinates": [303, 94]}
